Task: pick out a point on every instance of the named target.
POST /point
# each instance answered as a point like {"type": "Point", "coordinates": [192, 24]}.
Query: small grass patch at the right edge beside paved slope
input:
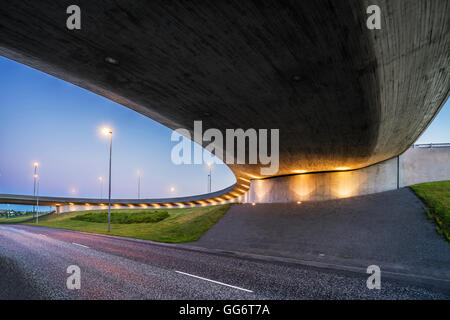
{"type": "Point", "coordinates": [436, 196]}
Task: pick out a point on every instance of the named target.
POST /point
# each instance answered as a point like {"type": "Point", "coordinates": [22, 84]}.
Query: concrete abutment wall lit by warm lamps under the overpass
{"type": "Point", "coordinates": [416, 165]}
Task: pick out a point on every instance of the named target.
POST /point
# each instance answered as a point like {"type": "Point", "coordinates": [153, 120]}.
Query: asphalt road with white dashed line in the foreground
{"type": "Point", "coordinates": [34, 261]}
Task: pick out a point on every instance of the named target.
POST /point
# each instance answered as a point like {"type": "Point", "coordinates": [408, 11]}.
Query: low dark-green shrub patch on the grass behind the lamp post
{"type": "Point", "coordinates": [143, 216]}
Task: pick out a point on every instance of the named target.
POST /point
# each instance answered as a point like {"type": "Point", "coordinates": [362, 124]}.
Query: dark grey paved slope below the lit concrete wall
{"type": "Point", "coordinates": [389, 229]}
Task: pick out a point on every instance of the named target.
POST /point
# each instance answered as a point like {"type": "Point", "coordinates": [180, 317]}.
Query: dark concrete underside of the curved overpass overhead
{"type": "Point", "coordinates": [341, 95]}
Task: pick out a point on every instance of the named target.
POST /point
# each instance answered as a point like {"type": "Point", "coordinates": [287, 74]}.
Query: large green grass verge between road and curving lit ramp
{"type": "Point", "coordinates": [177, 225]}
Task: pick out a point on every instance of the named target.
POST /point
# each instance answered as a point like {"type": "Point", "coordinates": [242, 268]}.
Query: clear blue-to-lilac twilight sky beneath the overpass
{"type": "Point", "coordinates": [57, 124]}
